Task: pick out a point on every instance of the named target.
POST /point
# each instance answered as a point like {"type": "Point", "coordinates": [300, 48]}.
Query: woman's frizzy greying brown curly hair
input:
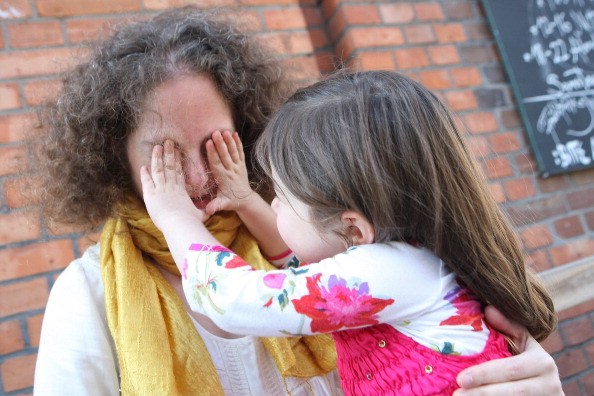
{"type": "Point", "coordinates": [81, 154]}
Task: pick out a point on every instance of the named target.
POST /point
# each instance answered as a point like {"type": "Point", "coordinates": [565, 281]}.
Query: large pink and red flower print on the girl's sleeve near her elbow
{"type": "Point", "coordinates": [338, 305]}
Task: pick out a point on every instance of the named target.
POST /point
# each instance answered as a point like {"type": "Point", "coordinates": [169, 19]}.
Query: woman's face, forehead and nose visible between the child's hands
{"type": "Point", "coordinates": [187, 110]}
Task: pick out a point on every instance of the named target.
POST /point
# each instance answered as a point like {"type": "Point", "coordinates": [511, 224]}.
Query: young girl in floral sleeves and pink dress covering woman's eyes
{"type": "Point", "coordinates": [377, 192]}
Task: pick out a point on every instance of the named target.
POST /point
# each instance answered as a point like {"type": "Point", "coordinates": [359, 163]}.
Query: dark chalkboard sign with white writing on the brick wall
{"type": "Point", "coordinates": [548, 51]}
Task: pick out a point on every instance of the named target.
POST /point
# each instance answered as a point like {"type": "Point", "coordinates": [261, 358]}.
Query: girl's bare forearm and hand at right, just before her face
{"type": "Point", "coordinates": [227, 161]}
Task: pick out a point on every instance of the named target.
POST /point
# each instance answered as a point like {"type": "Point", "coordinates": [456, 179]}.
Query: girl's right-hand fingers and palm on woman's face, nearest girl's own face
{"type": "Point", "coordinates": [227, 162]}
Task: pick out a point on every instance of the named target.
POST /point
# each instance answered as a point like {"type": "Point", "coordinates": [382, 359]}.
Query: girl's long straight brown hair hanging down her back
{"type": "Point", "coordinates": [383, 145]}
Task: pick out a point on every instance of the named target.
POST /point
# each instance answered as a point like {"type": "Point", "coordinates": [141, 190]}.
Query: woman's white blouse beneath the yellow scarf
{"type": "Point", "coordinates": [77, 355]}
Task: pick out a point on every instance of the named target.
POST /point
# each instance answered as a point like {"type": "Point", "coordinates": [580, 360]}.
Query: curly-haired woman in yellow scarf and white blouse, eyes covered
{"type": "Point", "coordinates": [116, 318]}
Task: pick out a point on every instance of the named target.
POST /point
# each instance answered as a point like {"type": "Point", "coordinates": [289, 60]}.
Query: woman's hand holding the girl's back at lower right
{"type": "Point", "coordinates": [532, 372]}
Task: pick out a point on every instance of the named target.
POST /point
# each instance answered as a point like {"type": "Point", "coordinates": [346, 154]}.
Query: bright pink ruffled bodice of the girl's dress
{"type": "Point", "coordinates": [379, 360]}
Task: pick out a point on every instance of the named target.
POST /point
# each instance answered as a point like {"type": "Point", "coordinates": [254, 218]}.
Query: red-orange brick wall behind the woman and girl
{"type": "Point", "coordinates": [445, 44]}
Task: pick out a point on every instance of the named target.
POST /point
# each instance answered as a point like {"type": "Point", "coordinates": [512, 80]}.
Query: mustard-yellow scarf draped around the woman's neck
{"type": "Point", "coordinates": [159, 350]}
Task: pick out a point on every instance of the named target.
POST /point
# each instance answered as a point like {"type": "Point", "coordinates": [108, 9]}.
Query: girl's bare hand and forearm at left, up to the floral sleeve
{"type": "Point", "coordinates": [169, 205]}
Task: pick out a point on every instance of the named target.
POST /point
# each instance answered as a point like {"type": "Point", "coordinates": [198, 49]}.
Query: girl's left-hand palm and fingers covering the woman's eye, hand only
{"type": "Point", "coordinates": [164, 189]}
